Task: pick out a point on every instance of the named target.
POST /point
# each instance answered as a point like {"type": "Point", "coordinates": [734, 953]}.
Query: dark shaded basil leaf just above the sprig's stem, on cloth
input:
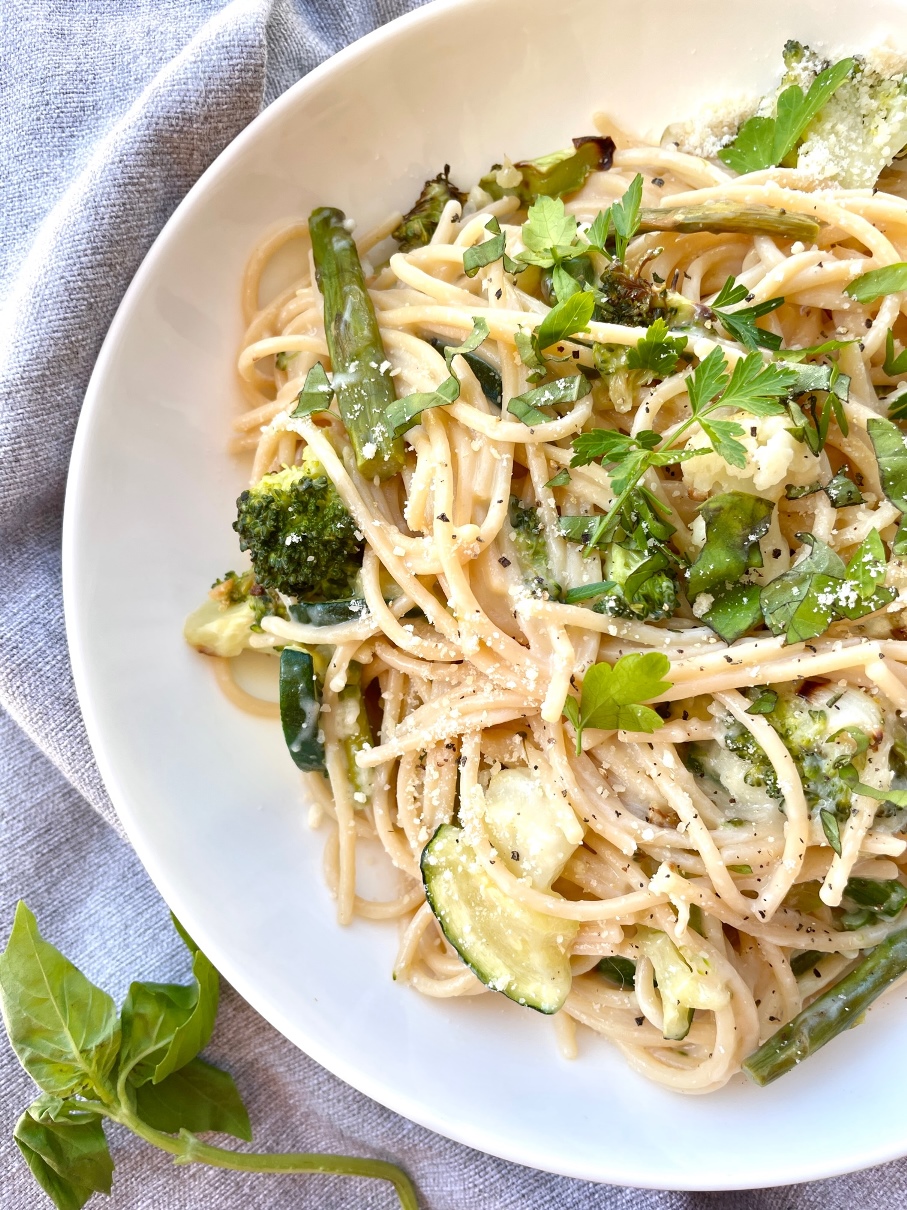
{"type": "Point", "coordinates": [197, 1098]}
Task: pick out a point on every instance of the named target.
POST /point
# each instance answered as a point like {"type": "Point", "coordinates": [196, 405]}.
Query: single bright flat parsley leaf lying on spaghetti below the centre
{"type": "Point", "coordinates": [611, 696]}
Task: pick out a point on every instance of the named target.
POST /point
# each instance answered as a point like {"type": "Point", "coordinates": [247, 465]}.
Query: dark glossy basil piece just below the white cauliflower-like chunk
{"type": "Point", "coordinates": [735, 523]}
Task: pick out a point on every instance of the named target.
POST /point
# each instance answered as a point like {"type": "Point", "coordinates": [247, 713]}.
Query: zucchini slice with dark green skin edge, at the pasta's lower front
{"type": "Point", "coordinates": [511, 948]}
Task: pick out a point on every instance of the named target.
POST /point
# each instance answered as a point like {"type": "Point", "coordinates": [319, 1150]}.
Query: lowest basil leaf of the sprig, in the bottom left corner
{"type": "Point", "coordinates": [68, 1159]}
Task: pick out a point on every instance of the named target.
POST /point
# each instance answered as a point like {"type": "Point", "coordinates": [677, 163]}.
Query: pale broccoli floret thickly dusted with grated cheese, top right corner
{"type": "Point", "coordinates": [859, 131]}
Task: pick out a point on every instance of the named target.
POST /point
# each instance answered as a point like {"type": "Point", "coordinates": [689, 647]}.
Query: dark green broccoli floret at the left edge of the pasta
{"type": "Point", "coordinates": [301, 535]}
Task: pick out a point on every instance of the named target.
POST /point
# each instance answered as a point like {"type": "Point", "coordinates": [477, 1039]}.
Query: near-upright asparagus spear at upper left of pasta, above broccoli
{"type": "Point", "coordinates": [362, 383]}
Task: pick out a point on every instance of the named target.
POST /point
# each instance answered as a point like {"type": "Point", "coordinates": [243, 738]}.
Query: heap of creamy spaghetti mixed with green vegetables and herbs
{"type": "Point", "coordinates": [613, 661]}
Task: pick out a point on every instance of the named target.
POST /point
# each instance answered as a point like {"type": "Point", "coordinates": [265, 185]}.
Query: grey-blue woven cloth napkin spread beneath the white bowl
{"type": "Point", "coordinates": [112, 110]}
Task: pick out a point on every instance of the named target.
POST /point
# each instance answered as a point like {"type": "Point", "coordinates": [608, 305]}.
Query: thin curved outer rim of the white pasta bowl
{"type": "Point", "coordinates": [333, 1061]}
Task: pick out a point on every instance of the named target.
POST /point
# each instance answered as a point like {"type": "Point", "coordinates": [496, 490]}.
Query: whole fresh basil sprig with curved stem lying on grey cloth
{"type": "Point", "coordinates": [138, 1070]}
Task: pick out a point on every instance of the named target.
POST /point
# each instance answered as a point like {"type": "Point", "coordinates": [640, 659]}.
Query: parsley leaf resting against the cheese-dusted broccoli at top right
{"type": "Point", "coordinates": [765, 142]}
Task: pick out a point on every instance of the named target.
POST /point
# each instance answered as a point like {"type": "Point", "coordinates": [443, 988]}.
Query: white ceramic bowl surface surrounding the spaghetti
{"type": "Point", "coordinates": [207, 794]}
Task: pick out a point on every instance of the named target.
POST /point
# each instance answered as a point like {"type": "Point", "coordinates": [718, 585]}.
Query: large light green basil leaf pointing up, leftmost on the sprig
{"type": "Point", "coordinates": [63, 1029]}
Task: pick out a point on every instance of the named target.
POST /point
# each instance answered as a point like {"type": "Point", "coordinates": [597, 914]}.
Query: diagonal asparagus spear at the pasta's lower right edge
{"type": "Point", "coordinates": [831, 1013]}
